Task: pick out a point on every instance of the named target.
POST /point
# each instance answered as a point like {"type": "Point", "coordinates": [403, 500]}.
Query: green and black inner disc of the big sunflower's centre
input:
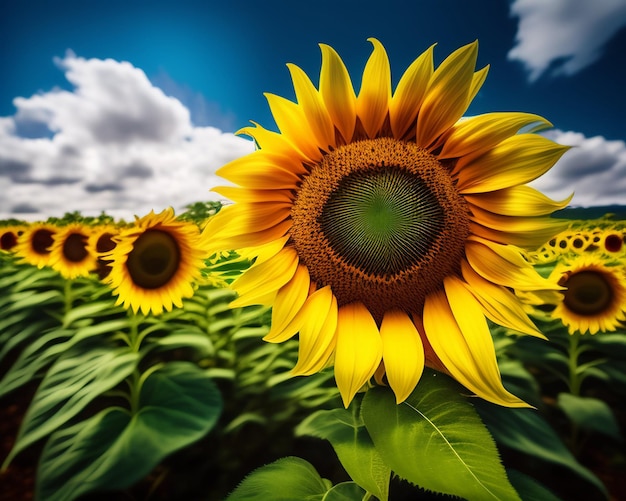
{"type": "Point", "coordinates": [382, 221]}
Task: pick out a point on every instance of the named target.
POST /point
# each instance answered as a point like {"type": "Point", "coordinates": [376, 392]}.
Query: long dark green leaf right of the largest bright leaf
{"type": "Point", "coordinates": [524, 430]}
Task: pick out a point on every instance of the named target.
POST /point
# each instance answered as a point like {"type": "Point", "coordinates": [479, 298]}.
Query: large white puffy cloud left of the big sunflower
{"type": "Point", "coordinates": [114, 143]}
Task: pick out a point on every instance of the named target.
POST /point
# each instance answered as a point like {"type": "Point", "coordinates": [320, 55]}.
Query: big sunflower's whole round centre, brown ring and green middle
{"type": "Point", "coordinates": [381, 222]}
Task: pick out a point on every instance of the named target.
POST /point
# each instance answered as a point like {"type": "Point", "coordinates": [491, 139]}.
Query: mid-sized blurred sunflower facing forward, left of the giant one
{"type": "Point", "coordinates": [155, 262]}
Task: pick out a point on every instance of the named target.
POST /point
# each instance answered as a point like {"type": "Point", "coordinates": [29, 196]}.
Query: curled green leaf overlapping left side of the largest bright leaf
{"type": "Point", "coordinates": [354, 447]}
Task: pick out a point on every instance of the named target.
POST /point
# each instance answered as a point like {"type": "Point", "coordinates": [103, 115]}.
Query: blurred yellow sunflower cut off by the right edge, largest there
{"type": "Point", "coordinates": [595, 295]}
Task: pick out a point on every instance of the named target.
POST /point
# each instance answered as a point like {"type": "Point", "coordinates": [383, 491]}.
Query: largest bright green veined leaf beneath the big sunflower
{"type": "Point", "coordinates": [436, 440]}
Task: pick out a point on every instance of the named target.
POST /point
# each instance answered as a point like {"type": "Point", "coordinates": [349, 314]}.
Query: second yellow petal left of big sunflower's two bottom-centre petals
{"type": "Point", "coordinates": [288, 303]}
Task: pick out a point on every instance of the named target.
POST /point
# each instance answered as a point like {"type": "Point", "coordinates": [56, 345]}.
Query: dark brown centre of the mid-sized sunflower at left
{"type": "Point", "coordinates": [154, 259]}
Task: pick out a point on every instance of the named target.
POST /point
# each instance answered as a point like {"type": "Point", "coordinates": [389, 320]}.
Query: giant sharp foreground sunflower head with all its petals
{"type": "Point", "coordinates": [386, 227]}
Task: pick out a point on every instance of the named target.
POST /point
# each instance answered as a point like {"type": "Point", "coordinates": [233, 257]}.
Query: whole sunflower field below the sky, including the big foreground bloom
{"type": "Point", "coordinates": [384, 310]}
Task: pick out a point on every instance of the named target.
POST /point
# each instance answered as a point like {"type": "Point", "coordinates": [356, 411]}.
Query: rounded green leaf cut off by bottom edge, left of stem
{"type": "Point", "coordinates": [288, 479]}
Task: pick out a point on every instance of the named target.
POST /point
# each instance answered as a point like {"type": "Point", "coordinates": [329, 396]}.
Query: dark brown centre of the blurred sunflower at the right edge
{"type": "Point", "coordinates": [588, 293]}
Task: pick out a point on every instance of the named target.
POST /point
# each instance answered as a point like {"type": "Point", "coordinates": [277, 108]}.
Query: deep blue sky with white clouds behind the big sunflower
{"type": "Point", "coordinates": [127, 106]}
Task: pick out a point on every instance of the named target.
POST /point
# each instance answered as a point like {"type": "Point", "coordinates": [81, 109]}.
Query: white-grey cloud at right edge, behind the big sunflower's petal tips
{"type": "Point", "coordinates": [594, 169]}
